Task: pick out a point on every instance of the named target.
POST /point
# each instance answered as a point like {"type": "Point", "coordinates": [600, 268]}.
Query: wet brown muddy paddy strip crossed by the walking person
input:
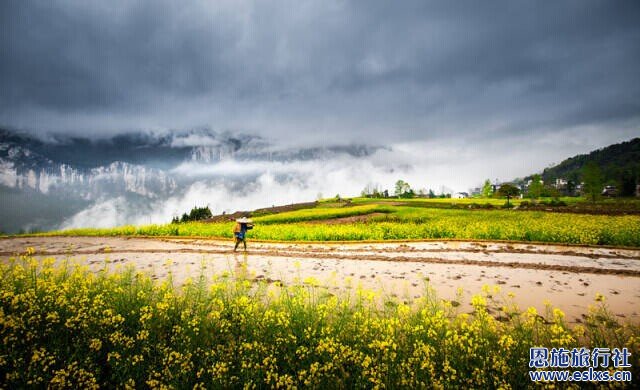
{"type": "Point", "coordinates": [569, 277]}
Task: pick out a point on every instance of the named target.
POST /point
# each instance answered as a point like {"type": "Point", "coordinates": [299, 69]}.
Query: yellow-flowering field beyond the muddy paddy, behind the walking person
{"type": "Point", "coordinates": [386, 221]}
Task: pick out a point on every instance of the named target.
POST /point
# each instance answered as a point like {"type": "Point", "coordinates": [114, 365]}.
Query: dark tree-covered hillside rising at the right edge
{"type": "Point", "coordinates": [619, 163]}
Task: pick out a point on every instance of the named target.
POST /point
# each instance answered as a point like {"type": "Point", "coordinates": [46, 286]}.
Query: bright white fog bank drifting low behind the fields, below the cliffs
{"type": "Point", "coordinates": [457, 164]}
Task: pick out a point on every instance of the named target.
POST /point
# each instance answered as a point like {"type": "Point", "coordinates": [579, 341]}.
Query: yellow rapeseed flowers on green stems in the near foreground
{"type": "Point", "coordinates": [64, 326]}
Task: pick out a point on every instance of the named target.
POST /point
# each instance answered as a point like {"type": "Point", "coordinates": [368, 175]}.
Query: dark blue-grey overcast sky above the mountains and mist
{"type": "Point", "coordinates": [506, 80]}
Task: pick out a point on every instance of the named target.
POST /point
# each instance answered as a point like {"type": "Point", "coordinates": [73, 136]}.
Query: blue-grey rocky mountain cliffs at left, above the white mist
{"type": "Point", "coordinates": [44, 182]}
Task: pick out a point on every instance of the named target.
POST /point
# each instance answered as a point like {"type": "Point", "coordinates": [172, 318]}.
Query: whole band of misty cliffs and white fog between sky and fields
{"type": "Point", "coordinates": [53, 181]}
